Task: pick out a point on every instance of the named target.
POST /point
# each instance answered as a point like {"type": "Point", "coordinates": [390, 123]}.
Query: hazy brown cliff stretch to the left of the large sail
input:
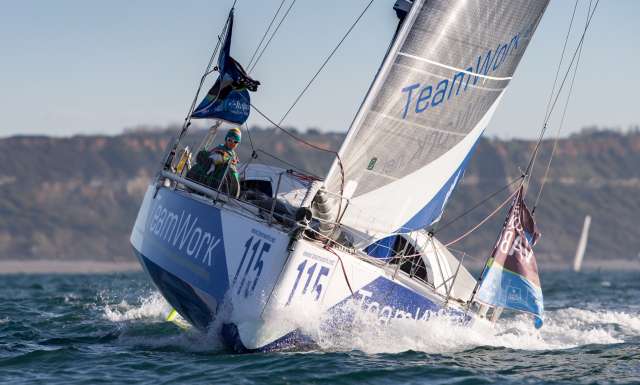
{"type": "Point", "coordinates": [74, 198]}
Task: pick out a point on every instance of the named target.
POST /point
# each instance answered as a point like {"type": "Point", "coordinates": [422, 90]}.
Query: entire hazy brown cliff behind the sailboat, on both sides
{"type": "Point", "coordinates": [73, 198]}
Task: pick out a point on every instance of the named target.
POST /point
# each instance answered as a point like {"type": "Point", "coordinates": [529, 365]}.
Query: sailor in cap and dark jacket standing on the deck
{"type": "Point", "coordinates": [211, 166]}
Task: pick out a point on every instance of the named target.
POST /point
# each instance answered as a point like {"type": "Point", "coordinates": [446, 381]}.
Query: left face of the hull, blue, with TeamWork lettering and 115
{"type": "Point", "coordinates": [201, 255]}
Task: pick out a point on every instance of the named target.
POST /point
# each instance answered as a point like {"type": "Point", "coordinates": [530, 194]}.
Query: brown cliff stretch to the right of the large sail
{"type": "Point", "coordinates": [596, 173]}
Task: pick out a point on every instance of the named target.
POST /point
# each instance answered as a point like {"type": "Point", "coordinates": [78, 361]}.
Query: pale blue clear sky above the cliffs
{"type": "Point", "coordinates": [72, 67]}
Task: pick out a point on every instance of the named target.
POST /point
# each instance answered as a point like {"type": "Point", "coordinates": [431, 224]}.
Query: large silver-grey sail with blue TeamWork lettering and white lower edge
{"type": "Point", "coordinates": [434, 95]}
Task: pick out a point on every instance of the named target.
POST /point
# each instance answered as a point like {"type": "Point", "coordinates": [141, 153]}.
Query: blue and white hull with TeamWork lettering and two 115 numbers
{"type": "Point", "coordinates": [225, 265]}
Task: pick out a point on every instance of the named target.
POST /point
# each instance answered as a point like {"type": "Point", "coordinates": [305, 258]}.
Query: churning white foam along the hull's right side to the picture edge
{"type": "Point", "coordinates": [563, 329]}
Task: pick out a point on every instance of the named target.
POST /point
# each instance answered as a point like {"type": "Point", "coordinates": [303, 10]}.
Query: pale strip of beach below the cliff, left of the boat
{"type": "Point", "coordinates": [43, 266]}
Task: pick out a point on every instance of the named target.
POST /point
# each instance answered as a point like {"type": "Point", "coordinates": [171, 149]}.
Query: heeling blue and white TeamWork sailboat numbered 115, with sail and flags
{"type": "Point", "coordinates": [252, 263]}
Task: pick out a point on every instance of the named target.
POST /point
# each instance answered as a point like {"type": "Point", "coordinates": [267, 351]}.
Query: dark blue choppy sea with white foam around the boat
{"type": "Point", "coordinates": [88, 329]}
